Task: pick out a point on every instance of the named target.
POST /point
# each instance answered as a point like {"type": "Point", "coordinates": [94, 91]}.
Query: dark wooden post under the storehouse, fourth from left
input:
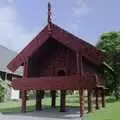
{"type": "Point", "coordinates": [62, 101]}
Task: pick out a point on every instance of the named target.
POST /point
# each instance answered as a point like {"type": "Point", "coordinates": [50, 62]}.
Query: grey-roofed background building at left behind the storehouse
{"type": "Point", "coordinates": [6, 56]}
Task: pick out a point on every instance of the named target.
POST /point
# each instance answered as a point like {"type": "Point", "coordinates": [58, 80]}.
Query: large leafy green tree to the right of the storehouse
{"type": "Point", "coordinates": [110, 43]}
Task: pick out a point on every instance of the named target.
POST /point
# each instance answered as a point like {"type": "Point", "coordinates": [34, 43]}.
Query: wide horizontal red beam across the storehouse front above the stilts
{"type": "Point", "coordinates": [75, 82]}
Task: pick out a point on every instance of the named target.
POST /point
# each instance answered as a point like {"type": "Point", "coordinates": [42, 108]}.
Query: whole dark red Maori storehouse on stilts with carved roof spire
{"type": "Point", "coordinates": [57, 60]}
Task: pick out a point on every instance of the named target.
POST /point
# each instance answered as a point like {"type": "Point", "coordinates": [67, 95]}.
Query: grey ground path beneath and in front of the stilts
{"type": "Point", "coordinates": [42, 115]}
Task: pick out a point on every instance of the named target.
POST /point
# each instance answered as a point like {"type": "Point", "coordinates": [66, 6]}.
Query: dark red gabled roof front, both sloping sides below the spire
{"type": "Point", "coordinates": [62, 36]}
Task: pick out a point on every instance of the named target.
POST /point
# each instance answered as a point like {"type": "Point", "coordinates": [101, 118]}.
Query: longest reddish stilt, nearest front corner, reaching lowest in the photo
{"type": "Point", "coordinates": [81, 93]}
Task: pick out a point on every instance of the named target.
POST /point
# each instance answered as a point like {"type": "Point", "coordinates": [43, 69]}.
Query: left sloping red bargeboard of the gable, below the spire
{"type": "Point", "coordinates": [28, 50]}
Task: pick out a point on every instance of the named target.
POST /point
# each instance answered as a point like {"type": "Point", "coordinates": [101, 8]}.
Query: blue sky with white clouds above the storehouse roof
{"type": "Point", "coordinates": [22, 20]}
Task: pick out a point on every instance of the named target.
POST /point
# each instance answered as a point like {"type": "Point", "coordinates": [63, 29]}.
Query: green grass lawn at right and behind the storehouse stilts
{"type": "Point", "coordinates": [111, 112]}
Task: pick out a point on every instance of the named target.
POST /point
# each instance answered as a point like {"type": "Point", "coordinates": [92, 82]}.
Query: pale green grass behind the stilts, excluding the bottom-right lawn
{"type": "Point", "coordinates": [14, 106]}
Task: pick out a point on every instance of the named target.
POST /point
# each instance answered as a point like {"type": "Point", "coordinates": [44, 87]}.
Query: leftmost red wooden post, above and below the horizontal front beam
{"type": "Point", "coordinates": [24, 92]}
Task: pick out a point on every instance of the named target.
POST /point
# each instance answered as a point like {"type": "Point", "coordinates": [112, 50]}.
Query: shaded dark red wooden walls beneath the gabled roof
{"type": "Point", "coordinates": [54, 56]}
